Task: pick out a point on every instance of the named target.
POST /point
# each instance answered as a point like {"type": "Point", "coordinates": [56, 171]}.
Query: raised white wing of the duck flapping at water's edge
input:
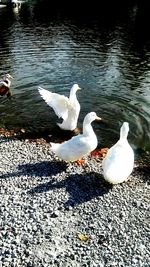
{"type": "Point", "coordinates": [59, 103]}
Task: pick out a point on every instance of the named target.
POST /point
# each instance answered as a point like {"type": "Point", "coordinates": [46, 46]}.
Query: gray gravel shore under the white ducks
{"type": "Point", "coordinates": [46, 203]}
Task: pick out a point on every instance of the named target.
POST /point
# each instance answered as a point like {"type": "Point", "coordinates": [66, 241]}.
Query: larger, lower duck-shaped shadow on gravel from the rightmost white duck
{"type": "Point", "coordinates": [81, 187]}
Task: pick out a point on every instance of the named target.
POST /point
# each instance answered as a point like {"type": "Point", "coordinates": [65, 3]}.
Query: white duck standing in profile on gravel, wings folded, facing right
{"type": "Point", "coordinates": [78, 146]}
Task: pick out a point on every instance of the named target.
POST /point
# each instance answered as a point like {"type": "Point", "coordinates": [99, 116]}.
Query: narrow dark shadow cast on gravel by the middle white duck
{"type": "Point", "coordinates": [45, 168]}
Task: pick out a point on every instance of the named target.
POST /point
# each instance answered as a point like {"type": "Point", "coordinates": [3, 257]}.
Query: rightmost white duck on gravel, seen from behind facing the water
{"type": "Point", "coordinates": [119, 161]}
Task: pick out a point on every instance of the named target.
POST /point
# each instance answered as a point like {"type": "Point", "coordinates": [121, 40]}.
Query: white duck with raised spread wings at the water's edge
{"type": "Point", "coordinates": [66, 108]}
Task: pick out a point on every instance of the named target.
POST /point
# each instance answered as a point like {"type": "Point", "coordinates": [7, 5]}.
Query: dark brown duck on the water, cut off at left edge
{"type": "Point", "coordinates": [5, 83]}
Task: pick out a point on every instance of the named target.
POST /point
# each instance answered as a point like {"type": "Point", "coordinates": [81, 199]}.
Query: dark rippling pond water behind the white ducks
{"type": "Point", "coordinates": [109, 60]}
